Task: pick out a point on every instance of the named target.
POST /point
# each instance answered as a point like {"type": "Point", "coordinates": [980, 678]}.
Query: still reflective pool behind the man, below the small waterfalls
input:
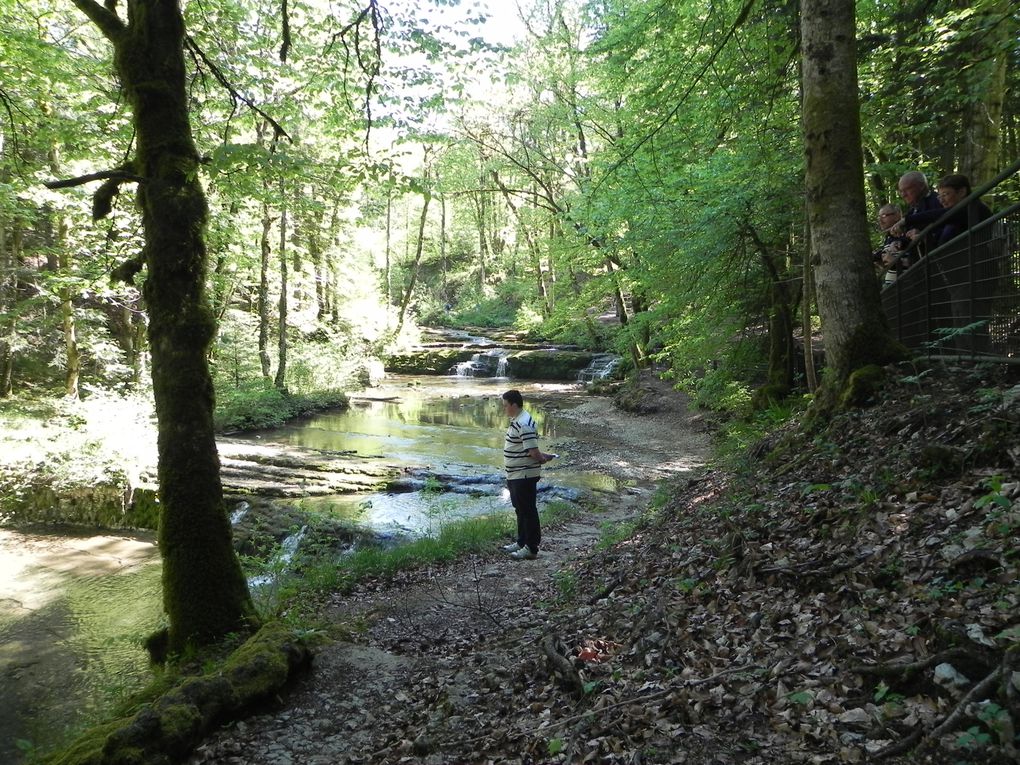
{"type": "Point", "coordinates": [447, 427]}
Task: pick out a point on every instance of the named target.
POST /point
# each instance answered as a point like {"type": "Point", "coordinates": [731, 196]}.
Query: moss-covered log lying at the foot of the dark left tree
{"type": "Point", "coordinates": [169, 729]}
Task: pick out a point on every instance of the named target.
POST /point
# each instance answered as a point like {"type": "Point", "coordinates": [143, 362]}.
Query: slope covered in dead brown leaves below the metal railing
{"type": "Point", "coordinates": [854, 597]}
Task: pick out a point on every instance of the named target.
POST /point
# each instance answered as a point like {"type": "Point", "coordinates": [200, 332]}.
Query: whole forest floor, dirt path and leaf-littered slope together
{"type": "Point", "coordinates": [850, 595]}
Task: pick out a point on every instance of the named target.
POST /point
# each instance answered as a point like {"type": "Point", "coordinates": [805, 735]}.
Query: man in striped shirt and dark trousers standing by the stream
{"type": "Point", "coordinates": [523, 461]}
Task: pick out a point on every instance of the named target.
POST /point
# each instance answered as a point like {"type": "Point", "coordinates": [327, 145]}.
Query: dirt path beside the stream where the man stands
{"type": "Point", "coordinates": [421, 651]}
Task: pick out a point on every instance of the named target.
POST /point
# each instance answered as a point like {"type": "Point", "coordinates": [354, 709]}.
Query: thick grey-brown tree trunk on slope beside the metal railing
{"type": "Point", "coordinates": [855, 329]}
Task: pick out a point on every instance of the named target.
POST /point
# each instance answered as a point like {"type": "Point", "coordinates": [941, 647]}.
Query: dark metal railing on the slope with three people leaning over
{"type": "Point", "coordinates": [963, 298]}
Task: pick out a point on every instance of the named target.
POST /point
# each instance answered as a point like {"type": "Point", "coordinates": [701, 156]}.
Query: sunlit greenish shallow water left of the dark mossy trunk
{"type": "Point", "coordinates": [74, 610]}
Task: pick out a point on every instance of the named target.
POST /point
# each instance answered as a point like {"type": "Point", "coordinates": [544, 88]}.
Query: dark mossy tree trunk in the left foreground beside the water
{"type": "Point", "coordinates": [206, 595]}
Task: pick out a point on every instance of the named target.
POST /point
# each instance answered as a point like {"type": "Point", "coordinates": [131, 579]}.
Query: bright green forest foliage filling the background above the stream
{"type": "Point", "coordinates": [374, 169]}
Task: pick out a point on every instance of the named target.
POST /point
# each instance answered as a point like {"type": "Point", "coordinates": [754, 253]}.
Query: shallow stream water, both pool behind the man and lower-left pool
{"type": "Point", "coordinates": [75, 607]}
